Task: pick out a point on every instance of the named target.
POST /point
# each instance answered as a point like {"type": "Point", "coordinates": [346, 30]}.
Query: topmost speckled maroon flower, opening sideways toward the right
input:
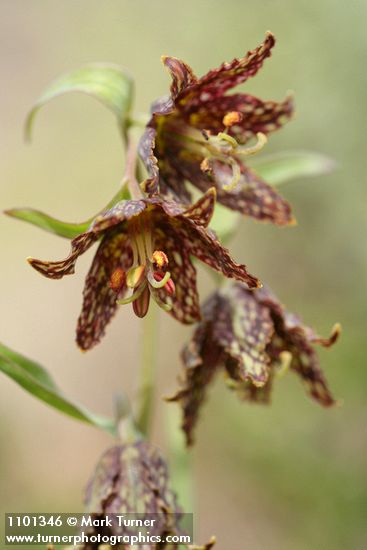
{"type": "Point", "coordinates": [199, 134]}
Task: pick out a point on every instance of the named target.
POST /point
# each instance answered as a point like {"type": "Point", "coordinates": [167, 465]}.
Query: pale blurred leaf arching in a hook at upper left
{"type": "Point", "coordinates": [109, 84]}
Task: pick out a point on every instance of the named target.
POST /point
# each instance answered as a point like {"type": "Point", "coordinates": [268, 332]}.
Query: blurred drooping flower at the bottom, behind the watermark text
{"type": "Point", "coordinates": [131, 483]}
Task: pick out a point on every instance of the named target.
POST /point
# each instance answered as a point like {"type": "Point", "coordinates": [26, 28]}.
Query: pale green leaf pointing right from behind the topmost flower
{"type": "Point", "coordinates": [282, 167]}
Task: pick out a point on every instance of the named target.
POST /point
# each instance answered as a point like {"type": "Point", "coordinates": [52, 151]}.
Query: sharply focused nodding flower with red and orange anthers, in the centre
{"type": "Point", "coordinates": [145, 249]}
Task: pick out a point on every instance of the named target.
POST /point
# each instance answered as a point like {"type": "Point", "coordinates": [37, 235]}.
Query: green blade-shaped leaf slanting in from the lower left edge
{"type": "Point", "coordinates": [36, 380]}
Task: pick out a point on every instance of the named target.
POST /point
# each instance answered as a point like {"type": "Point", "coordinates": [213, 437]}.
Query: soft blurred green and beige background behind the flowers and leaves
{"type": "Point", "coordinates": [287, 477]}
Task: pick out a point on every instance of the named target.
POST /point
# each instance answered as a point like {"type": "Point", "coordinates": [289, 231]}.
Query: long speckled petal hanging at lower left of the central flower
{"type": "Point", "coordinates": [99, 300]}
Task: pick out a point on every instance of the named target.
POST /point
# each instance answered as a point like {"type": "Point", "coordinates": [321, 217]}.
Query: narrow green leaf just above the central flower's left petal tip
{"type": "Point", "coordinates": [62, 229]}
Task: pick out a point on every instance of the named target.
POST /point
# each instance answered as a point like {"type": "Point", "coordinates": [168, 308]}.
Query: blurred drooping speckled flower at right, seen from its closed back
{"type": "Point", "coordinates": [254, 339]}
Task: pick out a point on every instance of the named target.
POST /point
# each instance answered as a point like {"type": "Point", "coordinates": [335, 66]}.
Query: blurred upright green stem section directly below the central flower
{"type": "Point", "coordinates": [148, 370]}
